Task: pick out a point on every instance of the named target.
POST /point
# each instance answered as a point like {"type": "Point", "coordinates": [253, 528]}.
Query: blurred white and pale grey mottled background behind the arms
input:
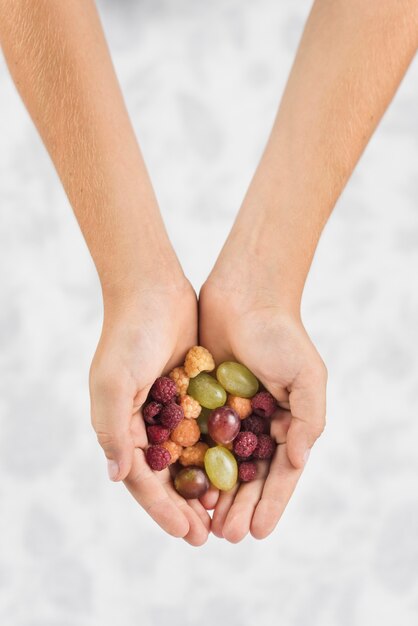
{"type": "Point", "coordinates": [202, 82]}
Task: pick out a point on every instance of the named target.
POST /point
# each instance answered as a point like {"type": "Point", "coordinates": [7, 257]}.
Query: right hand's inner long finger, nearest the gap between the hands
{"type": "Point", "coordinates": [238, 520]}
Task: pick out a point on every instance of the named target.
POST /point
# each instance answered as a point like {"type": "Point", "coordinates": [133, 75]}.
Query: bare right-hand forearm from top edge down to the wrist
{"type": "Point", "coordinates": [350, 62]}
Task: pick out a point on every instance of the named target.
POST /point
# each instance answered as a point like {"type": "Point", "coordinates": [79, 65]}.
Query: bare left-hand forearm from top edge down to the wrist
{"type": "Point", "coordinates": [58, 58]}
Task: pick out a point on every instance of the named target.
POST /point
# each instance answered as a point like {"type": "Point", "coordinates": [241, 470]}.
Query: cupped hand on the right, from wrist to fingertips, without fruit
{"type": "Point", "coordinates": [274, 345]}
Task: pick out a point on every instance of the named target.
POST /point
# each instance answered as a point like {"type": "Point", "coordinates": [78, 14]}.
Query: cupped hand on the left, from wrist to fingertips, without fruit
{"type": "Point", "coordinates": [143, 335]}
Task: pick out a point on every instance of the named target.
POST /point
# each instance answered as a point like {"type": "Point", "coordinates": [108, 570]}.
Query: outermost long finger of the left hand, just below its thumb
{"type": "Point", "coordinates": [148, 490]}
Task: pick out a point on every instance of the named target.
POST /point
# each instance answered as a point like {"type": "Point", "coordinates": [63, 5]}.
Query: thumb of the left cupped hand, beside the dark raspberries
{"type": "Point", "coordinates": [111, 415]}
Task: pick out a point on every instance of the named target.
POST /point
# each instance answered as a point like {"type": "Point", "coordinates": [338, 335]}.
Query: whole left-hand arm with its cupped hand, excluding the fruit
{"type": "Point", "coordinates": [57, 55]}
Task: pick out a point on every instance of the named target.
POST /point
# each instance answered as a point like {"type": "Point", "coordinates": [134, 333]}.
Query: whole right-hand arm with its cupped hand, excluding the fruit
{"type": "Point", "coordinates": [350, 61]}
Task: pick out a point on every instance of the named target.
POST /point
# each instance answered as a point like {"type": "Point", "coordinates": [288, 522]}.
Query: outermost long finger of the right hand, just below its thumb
{"type": "Point", "coordinates": [278, 488]}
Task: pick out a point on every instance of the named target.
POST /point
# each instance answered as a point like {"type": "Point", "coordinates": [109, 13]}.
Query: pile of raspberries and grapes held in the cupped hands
{"type": "Point", "coordinates": [214, 425]}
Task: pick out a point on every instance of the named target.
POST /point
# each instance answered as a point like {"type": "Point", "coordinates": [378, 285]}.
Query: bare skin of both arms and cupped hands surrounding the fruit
{"type": "Point", "coordinates": [351, 59]}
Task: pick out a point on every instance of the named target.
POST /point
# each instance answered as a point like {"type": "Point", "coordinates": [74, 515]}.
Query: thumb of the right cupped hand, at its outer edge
{"type": "Point", "coordinates": [307, 401]}
